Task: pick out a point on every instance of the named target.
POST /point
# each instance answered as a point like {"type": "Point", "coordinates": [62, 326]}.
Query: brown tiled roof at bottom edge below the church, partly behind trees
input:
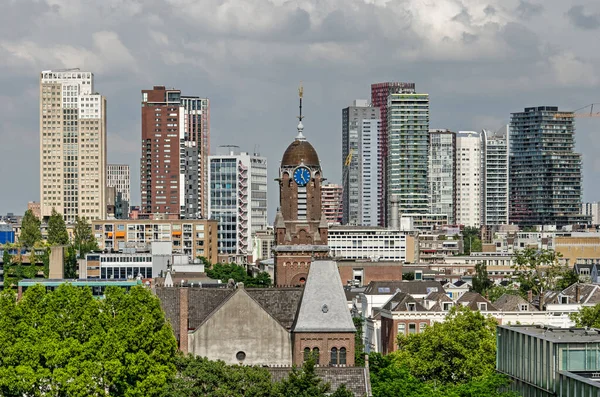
{"type": "Point", "coordinates": [356, 379]}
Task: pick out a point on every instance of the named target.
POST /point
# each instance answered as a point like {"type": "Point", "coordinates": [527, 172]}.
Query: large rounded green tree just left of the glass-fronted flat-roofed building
{"type": "Point", "coordinates": [461, 348]}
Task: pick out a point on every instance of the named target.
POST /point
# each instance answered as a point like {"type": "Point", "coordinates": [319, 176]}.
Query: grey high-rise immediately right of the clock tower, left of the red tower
{"type": "Point", "coordinates": [362, 197]}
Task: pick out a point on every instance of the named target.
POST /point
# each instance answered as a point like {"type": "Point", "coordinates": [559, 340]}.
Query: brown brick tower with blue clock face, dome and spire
{"type": "Point", "coordinates": [300, 227]}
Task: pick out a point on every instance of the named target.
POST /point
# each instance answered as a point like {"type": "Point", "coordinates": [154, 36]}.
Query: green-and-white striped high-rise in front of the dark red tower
{"type": "Point", "coordinates": [407, 152]}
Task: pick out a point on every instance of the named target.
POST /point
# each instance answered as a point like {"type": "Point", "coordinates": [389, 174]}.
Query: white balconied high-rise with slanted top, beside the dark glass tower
{"type": "Point", "coordinates": [494, 183]}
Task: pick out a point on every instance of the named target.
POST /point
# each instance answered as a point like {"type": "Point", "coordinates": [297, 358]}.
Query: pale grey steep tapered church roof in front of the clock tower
{"type": "Point", "coordinates": [324, 307]}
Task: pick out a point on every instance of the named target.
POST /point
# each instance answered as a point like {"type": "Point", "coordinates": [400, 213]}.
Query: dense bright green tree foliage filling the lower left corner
{"type": "Point", "coordinates": [67, 343]}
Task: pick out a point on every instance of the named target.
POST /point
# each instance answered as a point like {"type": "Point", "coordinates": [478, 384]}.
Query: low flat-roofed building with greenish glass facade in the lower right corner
{"type": "Point", "coordinates": [547, 361]}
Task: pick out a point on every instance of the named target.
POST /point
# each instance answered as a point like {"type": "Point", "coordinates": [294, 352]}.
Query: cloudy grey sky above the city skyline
{"type": "Point", "coordinates": [479, 60]}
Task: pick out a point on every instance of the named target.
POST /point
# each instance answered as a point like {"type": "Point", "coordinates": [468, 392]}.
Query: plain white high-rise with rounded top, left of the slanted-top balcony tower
{"type": "Point", "coordinates": [468, 178]}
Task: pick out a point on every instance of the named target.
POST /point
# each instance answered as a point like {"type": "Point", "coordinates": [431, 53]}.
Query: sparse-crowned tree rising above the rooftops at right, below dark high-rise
{"type": "Point", "coordinates": [537, 270]}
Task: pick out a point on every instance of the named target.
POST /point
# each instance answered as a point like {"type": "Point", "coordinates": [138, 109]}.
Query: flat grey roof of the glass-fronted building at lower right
{"type": "Point", "coordinates": [557, 335]}
